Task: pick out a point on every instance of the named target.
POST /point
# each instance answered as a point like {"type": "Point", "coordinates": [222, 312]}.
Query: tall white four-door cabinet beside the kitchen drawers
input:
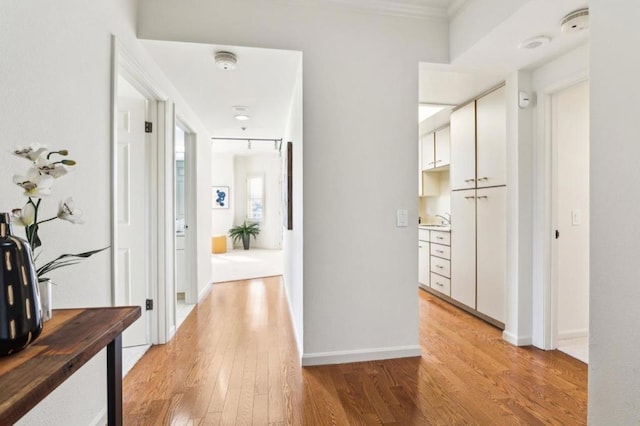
{"type": "Point", "coordinates": [478, 205]}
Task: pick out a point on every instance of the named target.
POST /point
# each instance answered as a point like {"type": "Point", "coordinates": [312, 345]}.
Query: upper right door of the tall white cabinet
{"type": "Point", "coordinates": [491, 146]}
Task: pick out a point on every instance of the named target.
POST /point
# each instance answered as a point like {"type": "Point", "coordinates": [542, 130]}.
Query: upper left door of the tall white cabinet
{"type": "Point", "coordinates": [463, 147]}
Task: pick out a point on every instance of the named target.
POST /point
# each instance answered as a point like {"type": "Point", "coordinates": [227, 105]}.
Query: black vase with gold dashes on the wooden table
{"type": "Point", "coordinates": [20, 314]}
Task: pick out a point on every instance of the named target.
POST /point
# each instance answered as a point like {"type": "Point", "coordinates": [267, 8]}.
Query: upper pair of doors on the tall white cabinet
{"type": "Point", "coordinates": [478, 142]}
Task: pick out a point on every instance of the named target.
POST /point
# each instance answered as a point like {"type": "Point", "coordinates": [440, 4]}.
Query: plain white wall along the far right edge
{"type": "Point", "coordinates": [614, 365]}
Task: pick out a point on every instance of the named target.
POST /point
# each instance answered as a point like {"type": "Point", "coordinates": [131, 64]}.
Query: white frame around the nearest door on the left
{"type": "Point", "coordinates": [123, 64]}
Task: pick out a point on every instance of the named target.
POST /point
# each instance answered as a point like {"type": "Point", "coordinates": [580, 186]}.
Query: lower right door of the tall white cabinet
{"type": "Point", "coordinates": [492, 252]}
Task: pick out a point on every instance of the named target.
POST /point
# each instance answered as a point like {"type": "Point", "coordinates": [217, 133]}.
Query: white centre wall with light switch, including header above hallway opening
{"type": "Point", "coordinates": [360, 138]}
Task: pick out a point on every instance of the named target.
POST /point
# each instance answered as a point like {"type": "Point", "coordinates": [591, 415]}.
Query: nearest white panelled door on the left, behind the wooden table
{"type": "Point", "coordinates": [132, 282]}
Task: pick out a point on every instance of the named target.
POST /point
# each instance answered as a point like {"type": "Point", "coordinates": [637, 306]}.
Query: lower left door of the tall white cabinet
{"type": "Point", "coordinates": [463, 247]}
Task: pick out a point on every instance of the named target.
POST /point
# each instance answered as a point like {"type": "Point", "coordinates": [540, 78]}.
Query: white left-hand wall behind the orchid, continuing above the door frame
{"type": "Point", "coordinates": [55, 77]}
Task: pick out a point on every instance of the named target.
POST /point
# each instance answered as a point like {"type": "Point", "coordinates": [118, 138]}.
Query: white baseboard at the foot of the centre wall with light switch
{"type": "Point", "coordinates": [341, 357]}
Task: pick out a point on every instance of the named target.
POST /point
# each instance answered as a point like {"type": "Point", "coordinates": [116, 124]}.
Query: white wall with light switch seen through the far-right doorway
{"type": "Point", "coordinates": [570, 136]}
